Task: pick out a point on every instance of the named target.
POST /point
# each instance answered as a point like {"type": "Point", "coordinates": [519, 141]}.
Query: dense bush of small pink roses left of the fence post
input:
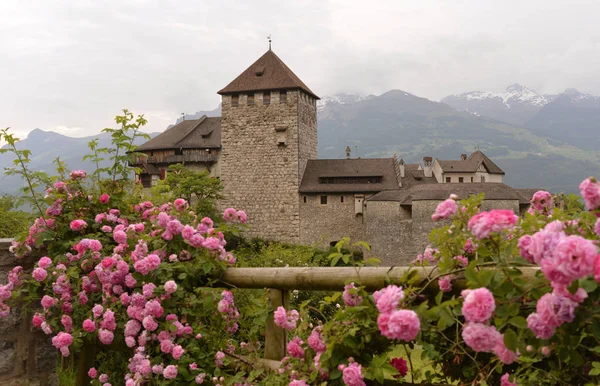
{"type": "Point", "coordinates": [113, 282]}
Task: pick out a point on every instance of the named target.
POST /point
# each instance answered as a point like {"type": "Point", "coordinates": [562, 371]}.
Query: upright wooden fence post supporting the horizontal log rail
{"type": "Point", "coordinates": [276, 337]}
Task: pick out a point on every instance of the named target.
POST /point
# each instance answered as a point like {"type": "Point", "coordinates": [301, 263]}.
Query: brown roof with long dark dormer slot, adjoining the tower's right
{"type": "Point", "coordinates": [360, 167]}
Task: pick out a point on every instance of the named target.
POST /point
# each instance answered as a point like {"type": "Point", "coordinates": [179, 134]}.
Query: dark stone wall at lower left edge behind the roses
{"type": "Point", "coordinates": [27, 357]}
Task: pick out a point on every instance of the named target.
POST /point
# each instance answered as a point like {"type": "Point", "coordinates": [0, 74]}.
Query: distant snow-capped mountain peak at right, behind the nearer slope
{"type": "Point", "coordinates": [516, 105]}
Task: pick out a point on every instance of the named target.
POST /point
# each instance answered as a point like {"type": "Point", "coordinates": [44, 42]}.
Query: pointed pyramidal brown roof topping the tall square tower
{"type": "Point", "coordinates": [267, 73]}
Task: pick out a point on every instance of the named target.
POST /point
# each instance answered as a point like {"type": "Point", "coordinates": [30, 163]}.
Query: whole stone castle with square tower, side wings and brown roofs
{"type": "Point", "coordinates": [264, 150]}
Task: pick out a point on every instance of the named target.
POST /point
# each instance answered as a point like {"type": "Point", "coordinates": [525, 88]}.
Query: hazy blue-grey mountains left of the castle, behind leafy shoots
{"type": "Point", "coordinates": [45, 147]}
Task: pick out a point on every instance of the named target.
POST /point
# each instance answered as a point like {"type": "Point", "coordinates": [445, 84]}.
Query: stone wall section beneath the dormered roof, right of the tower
{"type": "Point", "coordinates": [320, 225]}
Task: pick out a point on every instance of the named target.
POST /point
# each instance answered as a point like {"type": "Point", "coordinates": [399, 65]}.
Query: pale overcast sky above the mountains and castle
{"type": "Point", "coordinates": [70, 66]}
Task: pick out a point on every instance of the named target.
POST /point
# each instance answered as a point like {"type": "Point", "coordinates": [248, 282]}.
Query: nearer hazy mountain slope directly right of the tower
{"type": "Point", "coordinates": [400, 123]}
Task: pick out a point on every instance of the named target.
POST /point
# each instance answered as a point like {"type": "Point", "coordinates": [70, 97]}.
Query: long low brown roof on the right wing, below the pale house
{"type": "Point", "coordinates": [439, 192]}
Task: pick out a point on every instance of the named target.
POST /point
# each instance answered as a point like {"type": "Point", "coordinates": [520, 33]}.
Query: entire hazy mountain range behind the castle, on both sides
{"type": "Point", "coordinates": [540, 141]}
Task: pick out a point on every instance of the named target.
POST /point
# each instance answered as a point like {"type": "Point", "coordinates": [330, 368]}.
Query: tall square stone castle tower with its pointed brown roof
{"type": "Point", "coordinates": [268, 133]}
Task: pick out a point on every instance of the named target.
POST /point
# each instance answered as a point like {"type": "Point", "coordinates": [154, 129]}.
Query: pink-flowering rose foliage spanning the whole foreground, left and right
{"type": "Point", "coordinates": [496, 299]}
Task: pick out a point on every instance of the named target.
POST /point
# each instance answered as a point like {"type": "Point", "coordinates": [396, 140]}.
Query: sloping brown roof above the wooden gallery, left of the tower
{"type": "Point", "coordinates": [203, 133]}
